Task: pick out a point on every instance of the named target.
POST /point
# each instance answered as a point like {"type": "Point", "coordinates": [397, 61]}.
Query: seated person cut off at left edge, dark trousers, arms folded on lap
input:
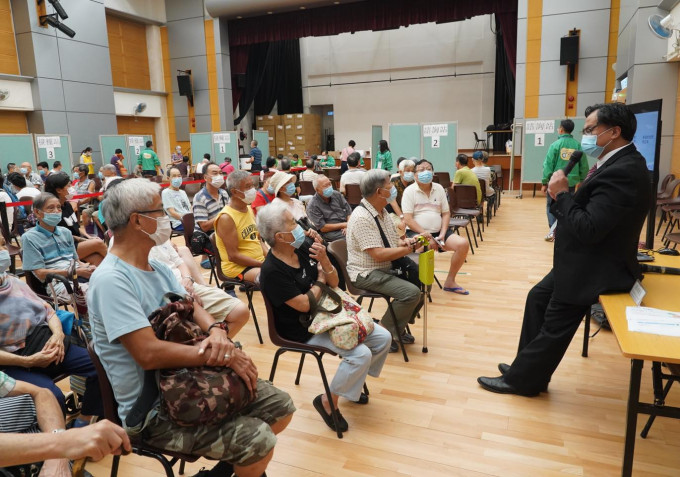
{"type": "Point", "coordinates": [33, 347]}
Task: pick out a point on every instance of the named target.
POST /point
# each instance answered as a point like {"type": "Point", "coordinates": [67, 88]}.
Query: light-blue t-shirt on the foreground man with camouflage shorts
{"type": "Point", "coordinates": [120, 298]}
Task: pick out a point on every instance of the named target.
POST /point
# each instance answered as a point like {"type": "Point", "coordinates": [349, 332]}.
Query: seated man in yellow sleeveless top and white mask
{"type": "Point", "coordinates": [236, 235]}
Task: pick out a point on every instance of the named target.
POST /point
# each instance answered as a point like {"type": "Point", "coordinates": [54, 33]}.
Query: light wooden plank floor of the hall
{"type": "Point", "coordinates": [429, 417]}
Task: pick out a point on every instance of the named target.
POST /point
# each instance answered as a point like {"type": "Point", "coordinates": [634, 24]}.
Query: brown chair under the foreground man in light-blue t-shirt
{"type": "Point", "coordinates": [111, 413]}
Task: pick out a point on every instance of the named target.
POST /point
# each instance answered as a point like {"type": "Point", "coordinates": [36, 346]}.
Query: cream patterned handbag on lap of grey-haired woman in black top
{"type": "Point", "coordinates": [346, 322]}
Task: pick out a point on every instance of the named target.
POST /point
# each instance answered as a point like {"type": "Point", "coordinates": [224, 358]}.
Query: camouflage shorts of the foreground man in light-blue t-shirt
{"type": "Point", "coordinates": [243, 440]}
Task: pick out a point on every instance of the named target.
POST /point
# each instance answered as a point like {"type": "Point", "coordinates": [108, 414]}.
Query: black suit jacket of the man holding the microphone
{"type": "Point", "coordinates": [599, 228]}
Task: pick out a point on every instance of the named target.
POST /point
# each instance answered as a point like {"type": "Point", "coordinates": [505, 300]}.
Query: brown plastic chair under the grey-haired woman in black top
{"type": "Point", "coordinates": [304, 349]}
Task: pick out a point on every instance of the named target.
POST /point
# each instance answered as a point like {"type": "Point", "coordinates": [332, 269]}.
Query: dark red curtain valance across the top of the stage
{"type": "Point", "coordinates": [359, 16]}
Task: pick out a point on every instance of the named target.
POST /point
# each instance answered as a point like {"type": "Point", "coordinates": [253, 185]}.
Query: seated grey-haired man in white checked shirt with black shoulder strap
{"type": "Point", "coordinates": [369, 262]}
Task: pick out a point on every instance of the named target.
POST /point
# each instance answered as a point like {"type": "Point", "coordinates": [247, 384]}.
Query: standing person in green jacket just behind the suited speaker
{"type": "Point", "coordinates": [557, 158]}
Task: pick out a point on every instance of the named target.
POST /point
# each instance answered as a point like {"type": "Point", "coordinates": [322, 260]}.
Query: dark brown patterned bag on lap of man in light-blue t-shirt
{"type": "Point", "coordinates": [189, 396]}
